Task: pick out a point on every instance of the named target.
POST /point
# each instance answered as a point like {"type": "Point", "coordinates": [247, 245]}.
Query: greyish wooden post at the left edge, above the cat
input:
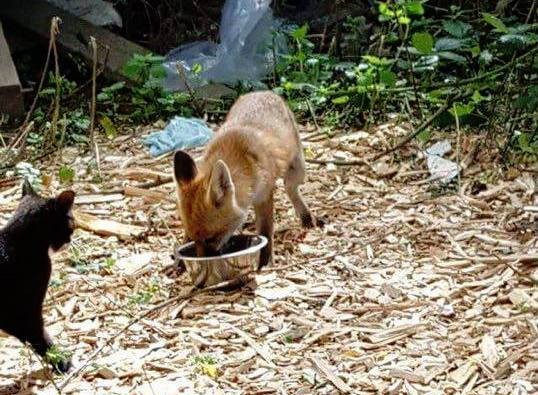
{"type": "Point", "coordinates": [11, 101]}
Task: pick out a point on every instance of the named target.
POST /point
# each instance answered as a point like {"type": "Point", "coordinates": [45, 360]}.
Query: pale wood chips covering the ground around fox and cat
{"type": "Point", "coordinates": [408, 288]}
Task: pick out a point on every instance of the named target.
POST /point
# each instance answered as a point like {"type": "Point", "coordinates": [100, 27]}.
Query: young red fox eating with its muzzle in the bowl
{"type": "Point", "coordinates": [258, 143]}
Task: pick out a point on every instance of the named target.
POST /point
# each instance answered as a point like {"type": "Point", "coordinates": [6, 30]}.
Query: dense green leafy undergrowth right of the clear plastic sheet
{"type": "Point", "coordinates": [422, 58]}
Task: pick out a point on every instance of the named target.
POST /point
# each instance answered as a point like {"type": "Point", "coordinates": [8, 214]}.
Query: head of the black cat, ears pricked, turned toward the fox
{"type": "Point", "coordinates": [51, 218]}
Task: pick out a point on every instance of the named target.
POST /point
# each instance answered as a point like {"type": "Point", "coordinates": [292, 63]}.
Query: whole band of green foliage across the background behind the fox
{"type": "Point", "coordinates": [409, 59]}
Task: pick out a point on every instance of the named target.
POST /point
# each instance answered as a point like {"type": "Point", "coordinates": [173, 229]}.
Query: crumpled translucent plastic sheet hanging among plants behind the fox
{"type": "Point", "coordinates": [246, 51]}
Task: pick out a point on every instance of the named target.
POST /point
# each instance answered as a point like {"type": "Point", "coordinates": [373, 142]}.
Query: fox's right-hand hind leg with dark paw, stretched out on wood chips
{"type": "Point", "coordinates": [293, 178]}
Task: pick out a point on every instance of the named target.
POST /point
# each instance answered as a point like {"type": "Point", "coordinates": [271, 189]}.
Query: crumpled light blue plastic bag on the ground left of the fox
{"type": "Point", "coordinates": [180, 133]}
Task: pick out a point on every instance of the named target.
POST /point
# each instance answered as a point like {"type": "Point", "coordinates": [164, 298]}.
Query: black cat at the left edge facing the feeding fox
{"type": "Point", "coordinates": [39, 224]}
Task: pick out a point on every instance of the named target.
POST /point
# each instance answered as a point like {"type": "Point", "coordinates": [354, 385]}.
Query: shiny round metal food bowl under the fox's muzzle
{"type": "Point", "coordinates": [239, 256]}
